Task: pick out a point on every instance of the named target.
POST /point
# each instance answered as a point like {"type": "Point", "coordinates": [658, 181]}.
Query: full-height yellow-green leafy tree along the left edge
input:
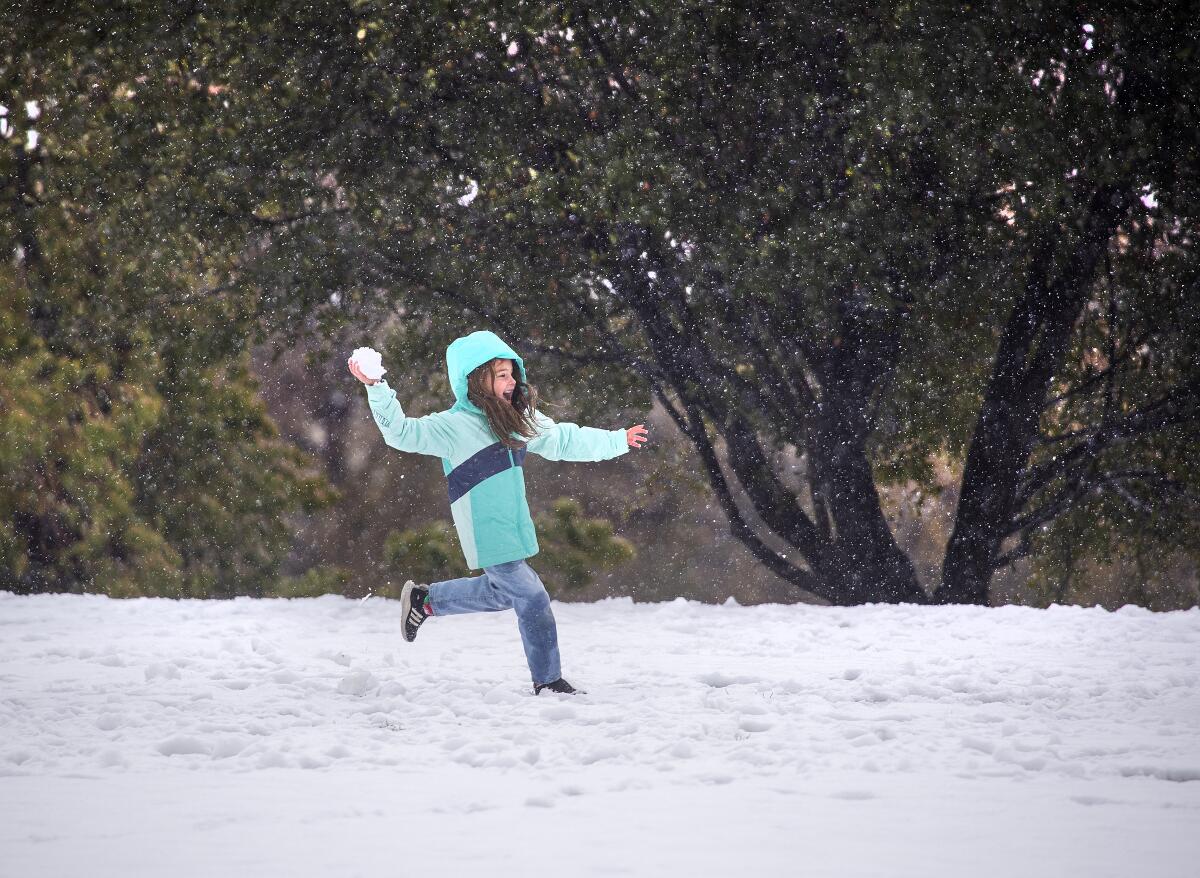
{"type": "Point", "coordinates": [137, 458]}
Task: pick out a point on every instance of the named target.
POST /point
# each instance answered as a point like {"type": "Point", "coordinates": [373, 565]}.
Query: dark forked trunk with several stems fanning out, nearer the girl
{"type": "Point", "coordinates": [851, 557]}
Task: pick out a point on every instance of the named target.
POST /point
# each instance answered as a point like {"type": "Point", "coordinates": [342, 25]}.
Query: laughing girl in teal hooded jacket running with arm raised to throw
{"type": "Point", "coordinates": [483, 441]}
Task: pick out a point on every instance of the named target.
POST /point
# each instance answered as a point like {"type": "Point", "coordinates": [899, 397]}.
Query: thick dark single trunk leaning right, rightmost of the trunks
{"type": "Point", "coordinates": [1031, 351]}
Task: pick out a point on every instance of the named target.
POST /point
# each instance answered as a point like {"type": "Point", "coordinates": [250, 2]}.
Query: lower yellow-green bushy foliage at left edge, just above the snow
{"type": "Point", "coordinates": [121, 480]}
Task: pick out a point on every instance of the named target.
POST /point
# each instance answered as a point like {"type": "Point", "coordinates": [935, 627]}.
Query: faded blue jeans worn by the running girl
{"type": "Point", "coordinates": [514, 586]}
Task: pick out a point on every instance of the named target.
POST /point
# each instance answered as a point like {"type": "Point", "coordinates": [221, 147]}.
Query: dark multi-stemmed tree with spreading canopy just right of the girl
{"type": "Point", "coordinates": [586, 197]}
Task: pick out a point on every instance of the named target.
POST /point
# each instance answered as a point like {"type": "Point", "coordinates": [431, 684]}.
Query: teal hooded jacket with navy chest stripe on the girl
{"type": "Point", "coordinates": [487, 480]}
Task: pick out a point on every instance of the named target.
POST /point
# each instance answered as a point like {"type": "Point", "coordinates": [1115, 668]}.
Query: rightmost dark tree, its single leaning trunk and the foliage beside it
{"type": "Point", "coordinates": [1095, 381]}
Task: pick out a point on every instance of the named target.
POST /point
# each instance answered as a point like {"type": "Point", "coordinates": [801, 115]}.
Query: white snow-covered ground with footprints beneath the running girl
{"type": "Point", "coordinates": [307, 738]}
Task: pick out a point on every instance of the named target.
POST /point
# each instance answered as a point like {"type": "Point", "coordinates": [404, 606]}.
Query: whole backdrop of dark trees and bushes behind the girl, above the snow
{"type": "Point", "coordinates": [909, 299]}
